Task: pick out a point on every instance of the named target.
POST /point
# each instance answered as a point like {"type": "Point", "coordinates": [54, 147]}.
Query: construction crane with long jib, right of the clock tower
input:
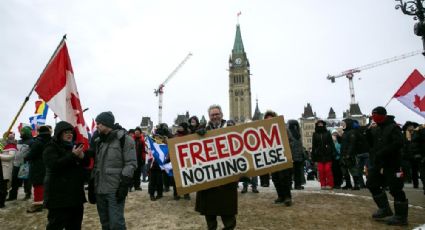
{"type": "Point", "coordinates": [350, 73]}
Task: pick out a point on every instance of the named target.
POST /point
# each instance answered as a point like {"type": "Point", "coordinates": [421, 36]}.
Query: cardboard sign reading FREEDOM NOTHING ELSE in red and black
{"type": "Point", "coordinates": [224, 155]}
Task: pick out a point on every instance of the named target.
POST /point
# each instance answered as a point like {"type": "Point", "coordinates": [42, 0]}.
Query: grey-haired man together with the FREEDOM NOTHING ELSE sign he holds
{"type": "Point", "coordinates": [211, 163]}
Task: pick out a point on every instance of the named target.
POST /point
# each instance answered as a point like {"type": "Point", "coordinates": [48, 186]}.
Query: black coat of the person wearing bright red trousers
{"type": "Point", "coordinates": [323, 149]}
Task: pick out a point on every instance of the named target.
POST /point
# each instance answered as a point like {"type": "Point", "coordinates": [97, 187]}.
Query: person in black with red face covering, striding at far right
{"type": "Point", "coordinates": [385, 141]}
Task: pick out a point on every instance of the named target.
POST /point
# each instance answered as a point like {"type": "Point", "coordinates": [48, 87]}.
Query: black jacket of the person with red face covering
{"type": "Point", "coordinates": [385, 143]}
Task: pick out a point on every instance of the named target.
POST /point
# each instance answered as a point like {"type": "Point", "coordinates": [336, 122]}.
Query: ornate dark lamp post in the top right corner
{"type": "Point", "coordinates": [414, 8]}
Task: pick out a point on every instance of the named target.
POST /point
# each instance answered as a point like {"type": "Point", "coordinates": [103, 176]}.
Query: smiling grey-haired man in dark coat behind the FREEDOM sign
{"type": "Point", "coordinates": [221, 200]}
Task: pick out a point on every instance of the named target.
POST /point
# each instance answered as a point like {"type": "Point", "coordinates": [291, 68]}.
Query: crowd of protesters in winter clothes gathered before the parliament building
{"type": "Point", "coordinates": [380, 156]}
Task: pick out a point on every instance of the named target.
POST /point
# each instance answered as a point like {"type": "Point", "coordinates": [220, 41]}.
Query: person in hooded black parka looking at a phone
{"type": "Point", "coordinates": [64, 182]}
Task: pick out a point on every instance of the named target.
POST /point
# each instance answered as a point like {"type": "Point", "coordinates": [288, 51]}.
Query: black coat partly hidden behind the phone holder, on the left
{"type": "Point", "coordinates": [35, 158]}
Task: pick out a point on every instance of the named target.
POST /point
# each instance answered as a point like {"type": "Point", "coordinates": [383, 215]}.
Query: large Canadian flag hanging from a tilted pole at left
{"type": "Point", "coordinates": [57, 88]}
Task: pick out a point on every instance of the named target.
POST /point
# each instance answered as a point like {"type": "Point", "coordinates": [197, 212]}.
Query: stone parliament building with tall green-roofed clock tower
{"type": "Point", "coordinates": [240, 104]}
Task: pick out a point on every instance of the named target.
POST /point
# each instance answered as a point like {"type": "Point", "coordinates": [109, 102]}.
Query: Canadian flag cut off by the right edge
{"type": "Point", "coordinates": [412, 93]}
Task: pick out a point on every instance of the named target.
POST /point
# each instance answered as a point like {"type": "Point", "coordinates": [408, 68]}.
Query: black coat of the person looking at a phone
{"type": "Point", "coordinates": [64, 181]}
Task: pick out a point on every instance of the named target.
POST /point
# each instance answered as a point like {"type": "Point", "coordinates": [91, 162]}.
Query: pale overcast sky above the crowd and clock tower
{"type": "Point", "coordinates": [122, 50]}
